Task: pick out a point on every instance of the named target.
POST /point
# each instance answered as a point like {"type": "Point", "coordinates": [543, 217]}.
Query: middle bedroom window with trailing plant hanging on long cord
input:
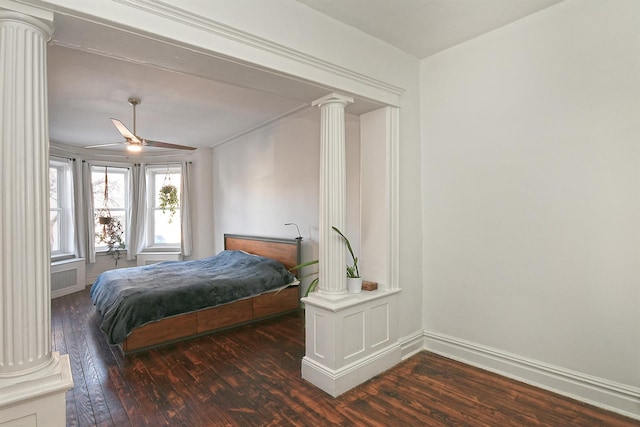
{"type": "Point", "coordinates": [116, 201]}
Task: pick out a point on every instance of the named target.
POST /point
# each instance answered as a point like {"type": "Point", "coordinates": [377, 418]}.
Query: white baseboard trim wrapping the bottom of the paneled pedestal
{"type": "Point", "coordinates": [336, 382]}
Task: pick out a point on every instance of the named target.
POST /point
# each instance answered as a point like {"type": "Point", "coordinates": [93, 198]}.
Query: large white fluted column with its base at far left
{"type": "Point", "coordinates": [33, 380]}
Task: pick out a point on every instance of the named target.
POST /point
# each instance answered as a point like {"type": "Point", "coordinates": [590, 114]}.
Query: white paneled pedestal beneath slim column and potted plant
{"type": "Point", "coordinates": [350, 340]}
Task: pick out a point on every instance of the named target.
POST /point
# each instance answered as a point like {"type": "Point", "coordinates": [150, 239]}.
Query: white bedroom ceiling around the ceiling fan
{"type": "Point", "coordinates": [86, 90]}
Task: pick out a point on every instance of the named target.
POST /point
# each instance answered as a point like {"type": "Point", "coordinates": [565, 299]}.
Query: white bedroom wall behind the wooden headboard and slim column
{"type": "Point", "coordinates": [271, 177]}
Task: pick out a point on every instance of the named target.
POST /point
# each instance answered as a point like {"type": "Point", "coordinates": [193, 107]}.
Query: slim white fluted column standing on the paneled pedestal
{"type": "Point", "coordinates": [332, 275]}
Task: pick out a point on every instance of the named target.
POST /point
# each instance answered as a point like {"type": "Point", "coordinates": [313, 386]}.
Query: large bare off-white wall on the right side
{"type": "Point", "coordinates": [531, 177]}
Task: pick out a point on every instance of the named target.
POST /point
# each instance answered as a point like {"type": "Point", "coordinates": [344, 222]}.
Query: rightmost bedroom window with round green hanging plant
{"type": "Point", "coordinates": [163, 227]}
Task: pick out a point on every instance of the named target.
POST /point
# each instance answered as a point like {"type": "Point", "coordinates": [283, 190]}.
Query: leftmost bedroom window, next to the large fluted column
{"type": "Point", "coordinates": [61, 209]}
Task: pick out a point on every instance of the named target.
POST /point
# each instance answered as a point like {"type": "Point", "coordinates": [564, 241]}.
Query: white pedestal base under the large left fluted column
{"type": "Point", "coordinates": [39, 398]}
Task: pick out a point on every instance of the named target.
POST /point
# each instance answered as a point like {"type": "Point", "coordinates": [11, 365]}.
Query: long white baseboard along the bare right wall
{"type": "Point", "coordinates": [605, 394]}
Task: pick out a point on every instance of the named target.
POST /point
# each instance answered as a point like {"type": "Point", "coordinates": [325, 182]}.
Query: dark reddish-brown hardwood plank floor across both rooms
{"type": "Point", "coordinates": [250, 376]}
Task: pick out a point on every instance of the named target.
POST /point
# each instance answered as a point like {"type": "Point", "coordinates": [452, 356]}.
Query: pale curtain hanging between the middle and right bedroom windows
{"type": "Point", "coordinates": [137, 213]}
